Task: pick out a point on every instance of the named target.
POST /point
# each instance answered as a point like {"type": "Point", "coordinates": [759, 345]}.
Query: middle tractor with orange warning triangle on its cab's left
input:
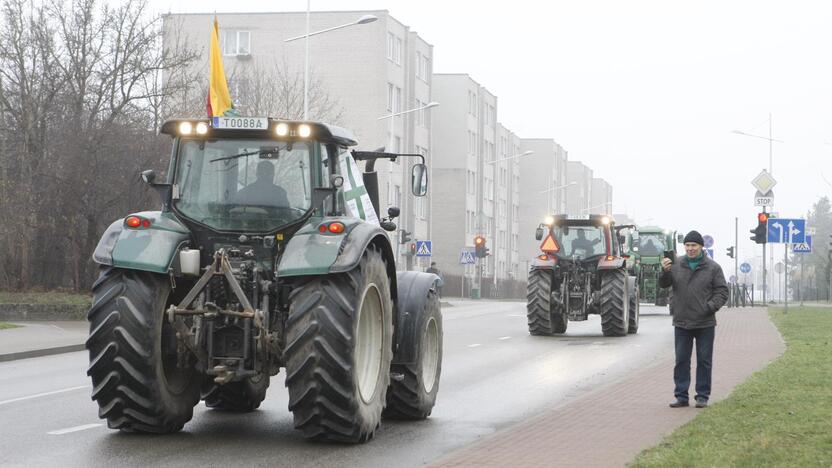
{"type": "Point", "coordinates": [579, 272]}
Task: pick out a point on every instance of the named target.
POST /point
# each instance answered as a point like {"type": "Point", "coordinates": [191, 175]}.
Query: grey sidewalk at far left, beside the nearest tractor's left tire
{"type": "Point", "coordinates": [34, 339]}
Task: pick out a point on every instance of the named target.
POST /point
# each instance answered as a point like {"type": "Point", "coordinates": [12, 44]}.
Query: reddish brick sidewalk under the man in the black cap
{"type": "Point", "coordinates": [611, 425]}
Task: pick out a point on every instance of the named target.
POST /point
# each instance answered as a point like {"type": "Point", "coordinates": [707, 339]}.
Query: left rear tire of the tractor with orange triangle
{"type": "Point", "coordinates": [544, 319]}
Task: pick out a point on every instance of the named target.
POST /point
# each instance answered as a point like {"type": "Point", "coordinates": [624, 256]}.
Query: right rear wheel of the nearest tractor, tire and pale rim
{"type": "Point", "coordinates": [339, 345]}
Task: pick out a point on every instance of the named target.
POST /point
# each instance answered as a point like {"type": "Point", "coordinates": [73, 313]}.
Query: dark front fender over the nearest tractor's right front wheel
{"type": "Point", "coordinates": [414, 290]}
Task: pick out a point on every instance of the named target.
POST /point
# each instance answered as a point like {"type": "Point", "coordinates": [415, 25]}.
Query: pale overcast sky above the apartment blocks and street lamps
{"type": "Point", "coordinates": [646, 93]}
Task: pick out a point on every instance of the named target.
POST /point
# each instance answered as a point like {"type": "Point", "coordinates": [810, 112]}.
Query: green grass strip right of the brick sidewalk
{"type": "Point", "coordinates": [781, 416]}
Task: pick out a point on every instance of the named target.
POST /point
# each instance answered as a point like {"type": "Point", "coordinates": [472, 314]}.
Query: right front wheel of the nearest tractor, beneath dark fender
{"type": "Point", "coordinates": [414, 395]}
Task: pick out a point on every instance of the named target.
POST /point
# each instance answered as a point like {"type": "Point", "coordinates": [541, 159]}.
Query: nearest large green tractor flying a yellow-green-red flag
{"type": "Point", "coordinates": [268, 252]}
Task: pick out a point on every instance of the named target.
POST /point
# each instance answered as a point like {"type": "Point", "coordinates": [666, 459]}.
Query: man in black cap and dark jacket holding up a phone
{"type": "Point", "coordinates": [699, 290]}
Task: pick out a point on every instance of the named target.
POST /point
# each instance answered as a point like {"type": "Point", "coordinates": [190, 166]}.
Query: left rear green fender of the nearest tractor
{"type": "Point", "coordinates": [147, 249]}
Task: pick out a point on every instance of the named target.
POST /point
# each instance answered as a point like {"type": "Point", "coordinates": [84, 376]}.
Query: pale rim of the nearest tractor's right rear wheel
{"type": "Point", "coordinates": [368, 343]}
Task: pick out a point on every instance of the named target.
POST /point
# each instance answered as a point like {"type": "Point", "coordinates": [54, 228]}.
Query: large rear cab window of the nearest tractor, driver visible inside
{"type": "Point", "coordinates": [243, 185]}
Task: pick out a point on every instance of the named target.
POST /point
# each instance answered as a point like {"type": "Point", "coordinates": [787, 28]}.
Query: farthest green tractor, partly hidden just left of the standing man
{"type": "Point", "coordinates": [648, 245]}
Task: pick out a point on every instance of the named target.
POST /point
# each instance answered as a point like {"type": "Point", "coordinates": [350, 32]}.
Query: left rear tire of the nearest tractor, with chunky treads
{"type": "Point", "coordinates": [143, 380]}
